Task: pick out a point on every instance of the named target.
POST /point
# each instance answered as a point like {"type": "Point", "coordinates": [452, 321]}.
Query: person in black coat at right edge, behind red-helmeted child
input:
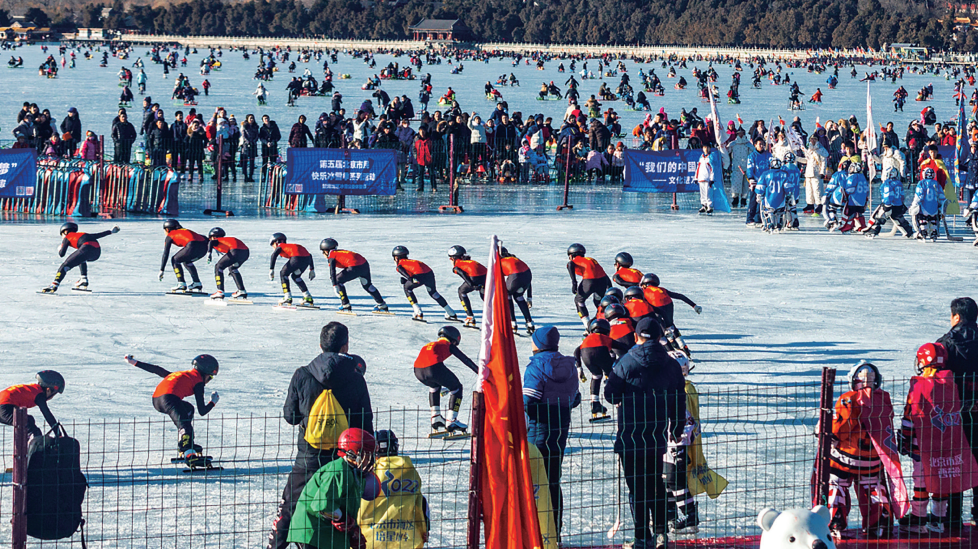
{"type": "Point", "coordinates": [961, 343]}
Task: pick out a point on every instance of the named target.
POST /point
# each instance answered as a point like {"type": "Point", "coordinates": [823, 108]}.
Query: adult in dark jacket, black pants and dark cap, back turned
{"type": "Point", "coordinates": [648, 389]}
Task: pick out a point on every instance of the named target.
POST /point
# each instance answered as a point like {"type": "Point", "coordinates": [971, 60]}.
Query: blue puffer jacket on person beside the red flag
{"type": "Point", "coordinates": [550, 390]}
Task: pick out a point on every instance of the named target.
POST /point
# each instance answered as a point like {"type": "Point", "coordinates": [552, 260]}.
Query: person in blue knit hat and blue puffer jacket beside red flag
{"type": "Point", "coordinates": [549, 392]}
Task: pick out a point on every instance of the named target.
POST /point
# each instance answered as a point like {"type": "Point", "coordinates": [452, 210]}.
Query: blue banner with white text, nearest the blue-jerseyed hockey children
{"type": "Point", "coordinates": [669, 171]}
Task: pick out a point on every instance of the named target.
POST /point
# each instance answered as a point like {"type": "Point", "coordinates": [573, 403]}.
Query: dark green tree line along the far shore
{"type": "Point", "coordinates": [760, 23]}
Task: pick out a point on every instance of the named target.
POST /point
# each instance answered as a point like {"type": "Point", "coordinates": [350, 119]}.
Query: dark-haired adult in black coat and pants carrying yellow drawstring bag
{"type": "Point", "coordinates": [333, 369]}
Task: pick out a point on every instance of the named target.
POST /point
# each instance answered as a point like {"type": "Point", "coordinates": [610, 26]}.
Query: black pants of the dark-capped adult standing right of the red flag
{"type": "Point", "coordinates": [642, 469]}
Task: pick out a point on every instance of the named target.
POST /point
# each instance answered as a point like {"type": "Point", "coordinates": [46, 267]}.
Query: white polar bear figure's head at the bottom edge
{"type": "Point", "coordinates": [795, 529]}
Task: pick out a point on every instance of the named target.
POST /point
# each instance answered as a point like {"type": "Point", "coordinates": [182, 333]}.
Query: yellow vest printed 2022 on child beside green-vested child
{"type": "Point", "coordinates": [395, 519]}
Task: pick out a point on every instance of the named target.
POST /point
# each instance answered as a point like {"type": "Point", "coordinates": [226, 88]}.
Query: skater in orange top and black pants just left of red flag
{"type": "Point", "coordinates": [431, 371]}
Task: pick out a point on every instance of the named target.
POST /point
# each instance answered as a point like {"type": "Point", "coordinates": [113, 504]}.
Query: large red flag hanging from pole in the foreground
{"type": "Point", "coordinates": [508, 505]}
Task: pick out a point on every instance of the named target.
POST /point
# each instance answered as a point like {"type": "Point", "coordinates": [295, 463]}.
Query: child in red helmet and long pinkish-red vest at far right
{"type": "Point", "coordinates": [931, 434]}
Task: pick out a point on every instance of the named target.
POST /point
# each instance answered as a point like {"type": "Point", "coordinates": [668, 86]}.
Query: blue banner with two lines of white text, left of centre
{"type": "Point", "coordinates": [341, 171]}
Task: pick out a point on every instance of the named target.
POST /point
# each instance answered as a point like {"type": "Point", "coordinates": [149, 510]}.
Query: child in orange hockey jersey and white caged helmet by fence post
{"type": "Point", "coordinates": [859, 428]}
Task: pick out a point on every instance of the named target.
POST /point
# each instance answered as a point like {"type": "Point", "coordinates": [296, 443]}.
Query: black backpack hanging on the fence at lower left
{"type": "Point", "coordinates": [55, 487]}
